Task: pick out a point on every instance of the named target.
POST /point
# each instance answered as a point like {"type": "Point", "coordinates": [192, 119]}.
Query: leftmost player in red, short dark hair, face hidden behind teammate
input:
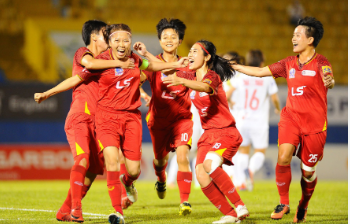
{"type": "Point", "coordinates": [79, 127]}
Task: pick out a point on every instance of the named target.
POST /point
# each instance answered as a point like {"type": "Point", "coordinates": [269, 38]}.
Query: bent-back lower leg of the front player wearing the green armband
{"type": "Point", "coordinates": [133, 171]}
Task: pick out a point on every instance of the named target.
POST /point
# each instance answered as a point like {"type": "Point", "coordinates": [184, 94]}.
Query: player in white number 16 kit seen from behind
{"type": "Point", "coordinates": [251, 111]}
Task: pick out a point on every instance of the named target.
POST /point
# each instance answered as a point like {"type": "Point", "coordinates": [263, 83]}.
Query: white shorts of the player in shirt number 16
{"type": "Point", "coordinates": [257, 136]}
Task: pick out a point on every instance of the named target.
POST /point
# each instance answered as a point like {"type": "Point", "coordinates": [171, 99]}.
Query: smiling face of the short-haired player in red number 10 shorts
{"type": "Point", "coordinates": [169, 40]}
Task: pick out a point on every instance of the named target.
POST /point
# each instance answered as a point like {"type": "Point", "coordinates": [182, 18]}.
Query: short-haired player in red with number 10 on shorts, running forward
{"type": "Point", "coordinates": [169, 118]}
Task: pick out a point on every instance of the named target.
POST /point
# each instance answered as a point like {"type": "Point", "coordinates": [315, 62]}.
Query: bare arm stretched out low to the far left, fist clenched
{"type": "Point", "coordinates": [63, 86]}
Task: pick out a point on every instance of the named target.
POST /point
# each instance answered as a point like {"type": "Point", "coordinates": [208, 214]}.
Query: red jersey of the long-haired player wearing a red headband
{"type": "Point", "coordinates": [213, 108]}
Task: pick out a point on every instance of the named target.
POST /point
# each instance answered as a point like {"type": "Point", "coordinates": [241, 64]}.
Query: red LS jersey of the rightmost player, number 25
{"type": "Point", "coordinates": [307, 95]}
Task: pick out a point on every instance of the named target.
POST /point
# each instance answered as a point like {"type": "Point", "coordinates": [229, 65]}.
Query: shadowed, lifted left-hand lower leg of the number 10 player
{"type": "Point", "coordinates": [159, 166]}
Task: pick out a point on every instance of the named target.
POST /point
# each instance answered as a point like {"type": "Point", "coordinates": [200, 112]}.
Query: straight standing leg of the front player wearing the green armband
{"type": "Point", "coordinates": [111, 156]}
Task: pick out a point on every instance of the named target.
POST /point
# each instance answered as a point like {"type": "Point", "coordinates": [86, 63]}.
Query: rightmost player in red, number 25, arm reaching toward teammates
{"type": "Point", "coordinates": [304, 119]}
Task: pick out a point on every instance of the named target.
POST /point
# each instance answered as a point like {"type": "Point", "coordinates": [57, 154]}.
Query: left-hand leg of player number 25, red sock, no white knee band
{"type": "Point", "coordinates": [283, 179]}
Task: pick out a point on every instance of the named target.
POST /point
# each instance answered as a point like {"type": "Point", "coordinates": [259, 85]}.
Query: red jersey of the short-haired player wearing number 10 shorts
{"type": "Point", "coordinates": [168, 104]}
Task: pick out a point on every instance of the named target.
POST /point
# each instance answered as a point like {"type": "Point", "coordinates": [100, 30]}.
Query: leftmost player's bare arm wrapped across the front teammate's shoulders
{"type": "Point", "coordinates": [91, 63]}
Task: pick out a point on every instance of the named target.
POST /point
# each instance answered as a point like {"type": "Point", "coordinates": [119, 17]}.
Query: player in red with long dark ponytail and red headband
{"type": "Point", "coordinates": [221, 139]}
